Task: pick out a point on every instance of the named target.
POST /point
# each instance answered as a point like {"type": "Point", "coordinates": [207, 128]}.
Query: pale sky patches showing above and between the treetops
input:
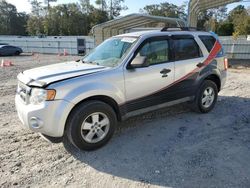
{"type": "Point", "coordinates": [24, 5]}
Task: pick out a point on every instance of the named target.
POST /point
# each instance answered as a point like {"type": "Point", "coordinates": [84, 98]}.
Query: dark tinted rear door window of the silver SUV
{"type": "Point", "coordinates": [186, 49]}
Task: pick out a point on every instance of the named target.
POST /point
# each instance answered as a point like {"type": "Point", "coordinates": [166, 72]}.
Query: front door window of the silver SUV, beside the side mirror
{"type": "Point", "coordinates": [155, 51]}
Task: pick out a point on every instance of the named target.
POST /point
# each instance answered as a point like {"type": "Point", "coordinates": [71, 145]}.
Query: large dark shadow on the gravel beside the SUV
{"type": "Point", "coordinates": [179, 148]}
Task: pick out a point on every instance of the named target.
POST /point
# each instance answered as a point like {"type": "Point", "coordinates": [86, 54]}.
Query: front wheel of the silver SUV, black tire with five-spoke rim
{"type": "Point", "coordinates": [90, 125]}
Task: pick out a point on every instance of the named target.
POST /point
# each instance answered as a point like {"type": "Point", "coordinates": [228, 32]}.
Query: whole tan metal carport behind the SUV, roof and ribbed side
{"type": "Point", "coordinates": [123, 24]}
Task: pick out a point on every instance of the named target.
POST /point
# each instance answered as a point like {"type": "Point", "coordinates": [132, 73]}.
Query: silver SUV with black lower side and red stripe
{"type": "Point", "coordinates": [126, 75]}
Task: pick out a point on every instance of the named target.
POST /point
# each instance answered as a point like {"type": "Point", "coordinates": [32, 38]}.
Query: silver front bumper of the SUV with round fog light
{"type": "Point", "coordinates": [48, 118]}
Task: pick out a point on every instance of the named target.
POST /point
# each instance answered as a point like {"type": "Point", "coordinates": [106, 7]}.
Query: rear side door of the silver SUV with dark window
{"type": "Point", "coordinates": [187, 58]}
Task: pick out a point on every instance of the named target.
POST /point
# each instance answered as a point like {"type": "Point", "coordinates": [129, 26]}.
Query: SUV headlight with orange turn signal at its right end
{"type": "Point", "coordinates": [38, 95]}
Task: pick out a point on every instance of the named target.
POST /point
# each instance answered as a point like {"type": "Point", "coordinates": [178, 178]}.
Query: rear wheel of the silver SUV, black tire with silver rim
{"type": "Point", "coordinates": [201, 104]}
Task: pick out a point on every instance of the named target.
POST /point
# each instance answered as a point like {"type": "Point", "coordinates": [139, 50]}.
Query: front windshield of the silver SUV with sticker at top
{"type": "Point", "coordinates": [111, 52]}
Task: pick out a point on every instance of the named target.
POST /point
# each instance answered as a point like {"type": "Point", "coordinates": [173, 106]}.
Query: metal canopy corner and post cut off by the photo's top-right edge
{"type": "Point", "coordinates": [196, 6]}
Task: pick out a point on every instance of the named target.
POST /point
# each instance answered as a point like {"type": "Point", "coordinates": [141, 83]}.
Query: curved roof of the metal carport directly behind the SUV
{"type": "Point", "coordinates": [131, 20]}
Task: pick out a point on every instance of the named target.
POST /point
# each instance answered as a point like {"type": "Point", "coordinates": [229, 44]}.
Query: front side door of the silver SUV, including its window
{"type": "Point", "coordinates": [145, 86]}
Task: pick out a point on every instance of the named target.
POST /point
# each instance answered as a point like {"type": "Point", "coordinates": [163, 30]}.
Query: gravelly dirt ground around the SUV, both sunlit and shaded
{"type": "Point", "coordinates": [172, 147]}
